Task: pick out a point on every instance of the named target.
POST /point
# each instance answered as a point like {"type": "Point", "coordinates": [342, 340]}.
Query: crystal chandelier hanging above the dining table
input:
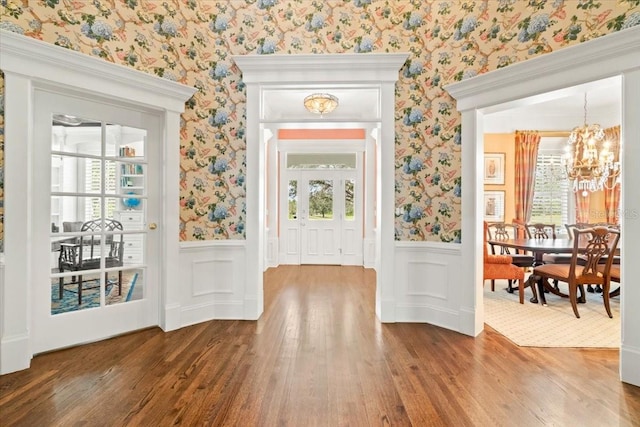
{"type": "Point", "coordinates": [588, 162]}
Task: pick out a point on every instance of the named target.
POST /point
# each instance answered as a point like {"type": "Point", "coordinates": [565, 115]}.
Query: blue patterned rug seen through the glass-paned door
{"type": "Point", "coordinates": [91, 297]}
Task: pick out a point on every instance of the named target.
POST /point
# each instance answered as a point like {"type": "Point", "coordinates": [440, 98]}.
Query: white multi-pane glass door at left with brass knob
{"type": "Point", "coordinates": [91, 221]}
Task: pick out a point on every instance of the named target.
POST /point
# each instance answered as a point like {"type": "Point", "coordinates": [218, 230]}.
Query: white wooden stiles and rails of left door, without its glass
{"type": "Point", "coordinates": [59, 331]}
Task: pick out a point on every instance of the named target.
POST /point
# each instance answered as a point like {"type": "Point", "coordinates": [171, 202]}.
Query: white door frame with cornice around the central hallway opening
{"type": "Point", "coordinates": [374, 70]}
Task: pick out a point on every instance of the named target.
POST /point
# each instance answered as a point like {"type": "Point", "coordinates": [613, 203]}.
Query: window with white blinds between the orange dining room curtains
{"type": "Point", "coordinates": [551, 191]}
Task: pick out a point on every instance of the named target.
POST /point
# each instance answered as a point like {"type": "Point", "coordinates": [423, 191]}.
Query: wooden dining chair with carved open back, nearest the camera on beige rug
{"type": "Point", "coordinates": [590, 245]}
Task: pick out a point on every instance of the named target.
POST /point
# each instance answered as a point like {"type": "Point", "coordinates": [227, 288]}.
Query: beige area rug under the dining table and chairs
{"type": "Point", "coordinates": [534, 325]}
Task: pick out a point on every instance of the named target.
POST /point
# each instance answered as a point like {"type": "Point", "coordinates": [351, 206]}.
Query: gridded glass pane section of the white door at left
{"type": "Point", "coordinates": [97, 194]}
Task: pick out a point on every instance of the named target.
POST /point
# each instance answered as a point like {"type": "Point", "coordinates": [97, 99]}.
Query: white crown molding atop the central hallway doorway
{"type": "Point", "coordinates": [321, 68]}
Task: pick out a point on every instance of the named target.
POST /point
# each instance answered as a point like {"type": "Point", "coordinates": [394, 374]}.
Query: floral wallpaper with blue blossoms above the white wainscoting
{"type": "Point", "coordinates": [191, 41]}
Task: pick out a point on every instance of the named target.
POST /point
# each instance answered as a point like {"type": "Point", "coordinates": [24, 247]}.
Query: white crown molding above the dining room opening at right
{"type": "Point", "coordinates": [593, 60]}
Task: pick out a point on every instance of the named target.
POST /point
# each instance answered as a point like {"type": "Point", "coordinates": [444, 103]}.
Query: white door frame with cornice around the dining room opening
{"type": "Point", "coordinates": [543, 78]}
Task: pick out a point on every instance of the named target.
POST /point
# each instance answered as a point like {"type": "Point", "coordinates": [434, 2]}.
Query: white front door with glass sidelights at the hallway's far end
{"type": "Point", "coordinates": [321, 217]}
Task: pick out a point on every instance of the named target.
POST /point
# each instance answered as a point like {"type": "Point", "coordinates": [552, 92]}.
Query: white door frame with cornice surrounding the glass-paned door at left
{"type": "Point", "coordinates": [28, 64]}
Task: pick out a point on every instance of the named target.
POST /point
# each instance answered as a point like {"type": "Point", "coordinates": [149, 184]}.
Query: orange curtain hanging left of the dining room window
{"type": "Point", "coordinates": [527, 144]}
